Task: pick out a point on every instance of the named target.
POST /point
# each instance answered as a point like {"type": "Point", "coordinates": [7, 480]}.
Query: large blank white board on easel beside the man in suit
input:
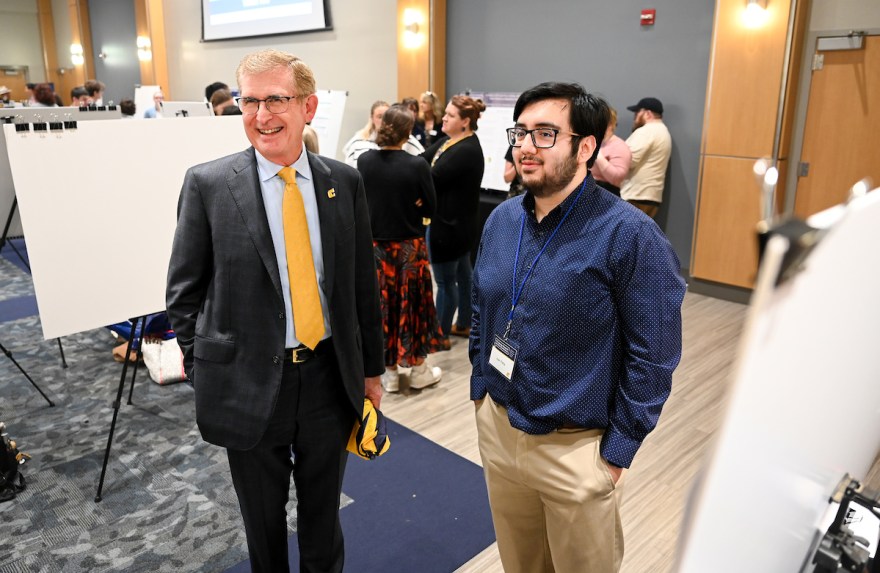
{"type": "Point", "coordinates": [80, 208]}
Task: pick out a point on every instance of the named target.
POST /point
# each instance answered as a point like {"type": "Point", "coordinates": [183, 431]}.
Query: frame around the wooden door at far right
{"type": "Point", "coordinates": [803, 97]}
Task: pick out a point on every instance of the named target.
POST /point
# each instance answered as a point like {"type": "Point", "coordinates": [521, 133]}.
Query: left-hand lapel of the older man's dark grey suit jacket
{"type": "Point", "coordinates": [244, 185]}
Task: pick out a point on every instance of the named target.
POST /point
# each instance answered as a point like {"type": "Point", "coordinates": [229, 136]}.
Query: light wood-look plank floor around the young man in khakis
{"type": "Point", "coordinates": [655, 489]}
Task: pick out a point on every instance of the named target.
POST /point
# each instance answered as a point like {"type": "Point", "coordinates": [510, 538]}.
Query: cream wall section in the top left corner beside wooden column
{"type": "Point", "coordinates": [20, 33]}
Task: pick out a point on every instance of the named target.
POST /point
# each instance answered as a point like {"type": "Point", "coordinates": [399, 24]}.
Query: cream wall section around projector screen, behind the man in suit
{"type": "Point", "coordinates": [358, 55]}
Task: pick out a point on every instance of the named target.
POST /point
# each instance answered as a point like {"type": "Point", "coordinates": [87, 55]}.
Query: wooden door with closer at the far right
{"type": "Point", "coordinates": [842, 130]}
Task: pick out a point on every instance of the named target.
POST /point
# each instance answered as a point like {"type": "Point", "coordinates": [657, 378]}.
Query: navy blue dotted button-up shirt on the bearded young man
{"type": "Point", "coordinates": [598, 325]}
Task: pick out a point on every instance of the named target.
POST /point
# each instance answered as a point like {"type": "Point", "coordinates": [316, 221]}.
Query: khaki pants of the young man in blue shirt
{"type": "Point", "coordinates": [554, 504]}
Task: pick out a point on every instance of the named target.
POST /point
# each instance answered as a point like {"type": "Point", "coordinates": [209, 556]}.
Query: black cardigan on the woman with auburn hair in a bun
{"type": "Point", "coordinates": [457, 175]}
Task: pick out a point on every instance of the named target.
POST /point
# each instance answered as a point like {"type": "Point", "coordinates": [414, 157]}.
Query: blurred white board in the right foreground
{"type": "Point", "coordinates": [803, 410]}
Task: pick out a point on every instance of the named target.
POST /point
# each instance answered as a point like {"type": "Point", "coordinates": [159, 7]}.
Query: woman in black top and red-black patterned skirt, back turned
{"type": "Point", "coordinates": [400, 195]}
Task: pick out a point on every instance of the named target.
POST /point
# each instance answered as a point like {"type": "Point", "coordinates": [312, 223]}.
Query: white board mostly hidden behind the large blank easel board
{"type": "Point", "coordinates": [30, 115]}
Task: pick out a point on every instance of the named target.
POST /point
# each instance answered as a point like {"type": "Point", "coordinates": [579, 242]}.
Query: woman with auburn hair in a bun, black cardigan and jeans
{"type": "Point", "coordinates": [457, 165]}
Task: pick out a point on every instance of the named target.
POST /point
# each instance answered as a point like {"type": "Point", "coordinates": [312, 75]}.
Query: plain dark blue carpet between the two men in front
{"type": "Point", "coordinates": [419, 508]}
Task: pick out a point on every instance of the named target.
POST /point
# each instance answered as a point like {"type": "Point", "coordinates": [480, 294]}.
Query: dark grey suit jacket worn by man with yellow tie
{"type": "Point", "coordinates": [224, 292]}
